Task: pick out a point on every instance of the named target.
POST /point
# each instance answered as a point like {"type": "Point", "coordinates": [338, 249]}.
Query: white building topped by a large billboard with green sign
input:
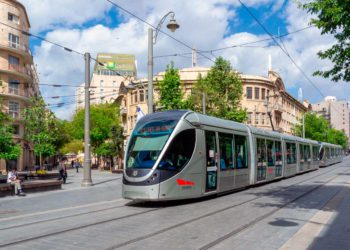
{"type": "Point", "coordinates": [109, 71]}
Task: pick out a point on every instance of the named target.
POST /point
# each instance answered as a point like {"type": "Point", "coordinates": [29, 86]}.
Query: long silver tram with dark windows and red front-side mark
{"type": "Point", "coordinates": [182, 154]}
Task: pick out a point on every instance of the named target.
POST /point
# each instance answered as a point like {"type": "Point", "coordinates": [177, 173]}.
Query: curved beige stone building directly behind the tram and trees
{"type": "Point", "coordinates": [267, 102]}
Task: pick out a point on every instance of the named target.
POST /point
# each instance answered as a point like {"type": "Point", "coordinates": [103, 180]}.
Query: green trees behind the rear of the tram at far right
{"type": "Point", "coordinates": [317, 128]}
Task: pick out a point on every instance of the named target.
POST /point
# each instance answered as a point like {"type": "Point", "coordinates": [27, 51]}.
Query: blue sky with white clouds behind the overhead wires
{"type": "Point", "coordinates": [203, 24]}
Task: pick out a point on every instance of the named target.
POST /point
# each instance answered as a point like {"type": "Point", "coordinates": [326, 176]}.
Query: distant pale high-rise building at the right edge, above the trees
{"type": "Point", "coordinates": [337, 113]}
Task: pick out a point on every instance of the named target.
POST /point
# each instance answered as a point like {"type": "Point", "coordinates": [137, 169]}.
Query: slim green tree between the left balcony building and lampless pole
{"type": "Point", "coordinates": [41, 128]}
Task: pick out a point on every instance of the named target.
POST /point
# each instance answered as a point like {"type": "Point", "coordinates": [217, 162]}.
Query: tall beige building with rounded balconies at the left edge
{"type": "Point", "coordinates": [18, 77]}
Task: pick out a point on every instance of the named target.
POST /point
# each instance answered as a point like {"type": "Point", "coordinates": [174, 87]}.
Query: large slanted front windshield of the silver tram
{"type": "Point", "coordinates": [148, 139]}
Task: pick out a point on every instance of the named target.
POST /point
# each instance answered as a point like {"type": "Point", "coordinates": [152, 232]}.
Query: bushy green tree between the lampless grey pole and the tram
{"type": "Point", "coordinates": [105, 131]}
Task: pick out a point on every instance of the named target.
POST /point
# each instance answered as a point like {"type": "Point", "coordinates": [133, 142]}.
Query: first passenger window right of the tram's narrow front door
{"type": "Point", "coordinates": [226, 151]}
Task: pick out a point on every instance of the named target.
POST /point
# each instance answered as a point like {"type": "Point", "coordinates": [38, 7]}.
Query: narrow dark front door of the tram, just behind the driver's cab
{"type": "Point", "coordinates": [211, 161]}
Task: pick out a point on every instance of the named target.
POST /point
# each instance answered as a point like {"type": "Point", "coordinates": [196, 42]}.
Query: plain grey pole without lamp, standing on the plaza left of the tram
{"type": "Point", "coordinates": [87, 155]}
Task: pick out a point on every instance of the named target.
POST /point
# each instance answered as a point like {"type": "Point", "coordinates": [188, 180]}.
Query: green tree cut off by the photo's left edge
{"type": "Point", "coordinates": [8, 149]}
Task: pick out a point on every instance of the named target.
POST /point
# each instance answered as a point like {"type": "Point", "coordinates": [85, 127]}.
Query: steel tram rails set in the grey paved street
{"type": "Point", "coordinates": [71, 229]}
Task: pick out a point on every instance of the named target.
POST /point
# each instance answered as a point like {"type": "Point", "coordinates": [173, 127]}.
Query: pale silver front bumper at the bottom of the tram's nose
{"type": "Point", "coordinates": [145, 193]}
